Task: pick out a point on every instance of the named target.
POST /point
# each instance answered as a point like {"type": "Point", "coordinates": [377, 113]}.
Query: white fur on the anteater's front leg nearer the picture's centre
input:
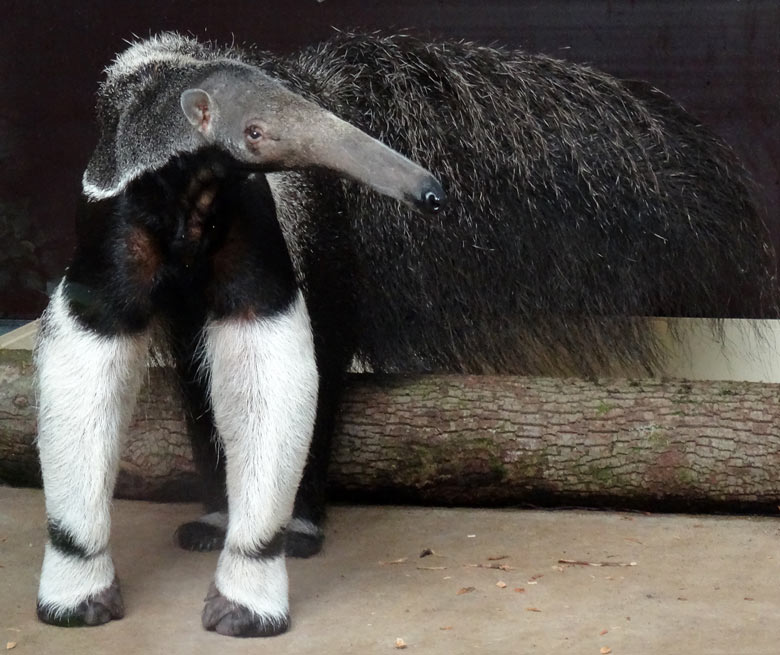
{"type": "Point", "coordinates": [264, 396]}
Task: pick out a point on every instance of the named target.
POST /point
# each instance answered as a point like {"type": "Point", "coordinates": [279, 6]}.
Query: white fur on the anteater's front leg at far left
{"type": "Point", "coordinates": [87, 386]}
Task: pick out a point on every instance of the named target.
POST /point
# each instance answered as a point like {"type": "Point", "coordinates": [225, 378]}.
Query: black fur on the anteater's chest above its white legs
{"type": "Point", "coordinates": [198, 238]}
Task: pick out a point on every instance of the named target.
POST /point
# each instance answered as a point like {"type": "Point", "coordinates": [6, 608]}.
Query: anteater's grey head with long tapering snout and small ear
{"type": "Point", "coordinates": [262, 123]}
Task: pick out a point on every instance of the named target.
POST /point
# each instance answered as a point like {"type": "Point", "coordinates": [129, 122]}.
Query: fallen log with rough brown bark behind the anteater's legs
{"type": "Point", "coordinates": [479, 440]}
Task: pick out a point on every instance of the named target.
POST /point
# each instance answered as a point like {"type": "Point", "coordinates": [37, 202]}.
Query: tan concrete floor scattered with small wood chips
{"type": "Point", "coordinates": [704, 585]}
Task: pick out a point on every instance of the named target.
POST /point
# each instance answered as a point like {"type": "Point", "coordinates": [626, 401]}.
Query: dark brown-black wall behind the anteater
{"type": "Point", "coordinates": [719, 58]}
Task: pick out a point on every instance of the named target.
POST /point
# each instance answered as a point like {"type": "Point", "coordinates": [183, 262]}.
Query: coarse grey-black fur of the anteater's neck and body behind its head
{"type": "Point", "coordinates": [577, 202]}
